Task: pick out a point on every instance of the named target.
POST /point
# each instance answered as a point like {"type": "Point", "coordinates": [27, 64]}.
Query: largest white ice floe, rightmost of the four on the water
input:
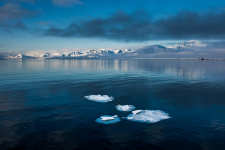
{"type": "Point", "coordinates": [147, 116]}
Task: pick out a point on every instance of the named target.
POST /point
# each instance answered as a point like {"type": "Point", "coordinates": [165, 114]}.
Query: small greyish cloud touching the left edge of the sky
{"type": "Point", "coordinates": [13, 11]}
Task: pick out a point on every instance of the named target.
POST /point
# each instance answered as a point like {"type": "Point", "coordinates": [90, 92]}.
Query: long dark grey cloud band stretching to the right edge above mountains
{"type": "Point", "coordinates": [139, 26]}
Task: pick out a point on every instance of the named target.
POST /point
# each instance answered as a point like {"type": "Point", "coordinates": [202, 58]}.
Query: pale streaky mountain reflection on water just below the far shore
{"type": "Point", "coordinates": [193, 70]}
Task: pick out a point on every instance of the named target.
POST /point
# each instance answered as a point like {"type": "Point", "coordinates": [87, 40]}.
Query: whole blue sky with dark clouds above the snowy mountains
{"type": "Point", "coordinates": [83, 24]}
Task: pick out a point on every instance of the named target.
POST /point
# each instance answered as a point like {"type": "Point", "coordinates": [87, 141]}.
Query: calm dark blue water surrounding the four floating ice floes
{"type": "Point", "coordinates": [42, 104]}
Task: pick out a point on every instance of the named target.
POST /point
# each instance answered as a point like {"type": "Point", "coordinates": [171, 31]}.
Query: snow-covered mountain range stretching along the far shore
{"type": "Point", "coordinates": [191, 45]}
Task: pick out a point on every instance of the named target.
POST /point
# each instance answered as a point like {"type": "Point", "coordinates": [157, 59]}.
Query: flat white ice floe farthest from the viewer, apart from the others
{"type": "Point", "coordinates": [99, 98]}
